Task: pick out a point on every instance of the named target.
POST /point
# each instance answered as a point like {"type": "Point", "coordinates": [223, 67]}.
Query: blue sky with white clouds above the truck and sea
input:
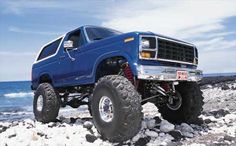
{"type": "Point", "coordinates": [26, 25]}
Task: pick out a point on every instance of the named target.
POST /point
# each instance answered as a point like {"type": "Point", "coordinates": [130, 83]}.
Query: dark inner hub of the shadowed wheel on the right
{"type": "Point", "coordinates": [174, 101]}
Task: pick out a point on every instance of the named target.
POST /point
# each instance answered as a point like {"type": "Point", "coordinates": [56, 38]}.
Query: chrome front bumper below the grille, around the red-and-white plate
{"type": "Point", "coordinates": [163, 73]}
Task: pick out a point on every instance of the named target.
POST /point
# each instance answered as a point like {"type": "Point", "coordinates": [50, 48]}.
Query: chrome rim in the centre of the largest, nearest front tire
{"type": "Point", "coordinates": [106, 109]}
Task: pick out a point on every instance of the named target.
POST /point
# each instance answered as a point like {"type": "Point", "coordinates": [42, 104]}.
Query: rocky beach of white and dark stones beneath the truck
{"type": "Point", "coordinates": [216, 125]}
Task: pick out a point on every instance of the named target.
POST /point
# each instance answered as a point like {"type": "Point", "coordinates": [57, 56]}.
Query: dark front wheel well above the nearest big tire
{"type": "Point", "coordinates": [109, 66]}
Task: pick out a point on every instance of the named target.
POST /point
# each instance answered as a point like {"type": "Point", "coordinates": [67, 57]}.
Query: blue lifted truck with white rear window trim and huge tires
{"type": "Point", "coordinates": [115, 73]}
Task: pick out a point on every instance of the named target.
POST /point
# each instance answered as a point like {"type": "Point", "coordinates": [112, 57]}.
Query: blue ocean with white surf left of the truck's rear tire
{"type": "Point", "coordinates": [16, 100]}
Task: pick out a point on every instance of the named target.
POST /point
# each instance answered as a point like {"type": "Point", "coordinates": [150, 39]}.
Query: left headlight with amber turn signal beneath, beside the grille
{"type": "Point", "coordinates": [148, 47]}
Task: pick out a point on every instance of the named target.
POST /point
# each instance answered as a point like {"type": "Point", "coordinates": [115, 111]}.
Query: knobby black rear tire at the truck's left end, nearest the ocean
{"type": "Point", "coordinates": [50, 103]}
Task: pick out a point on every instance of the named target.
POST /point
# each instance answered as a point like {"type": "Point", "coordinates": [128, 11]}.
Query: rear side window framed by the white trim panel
{"type": "Point", "coordinates": [49, 49]}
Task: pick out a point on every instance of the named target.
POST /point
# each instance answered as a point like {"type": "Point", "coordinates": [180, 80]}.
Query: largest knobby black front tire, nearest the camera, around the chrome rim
{"type": "Point", "coordinates": [126, 105]}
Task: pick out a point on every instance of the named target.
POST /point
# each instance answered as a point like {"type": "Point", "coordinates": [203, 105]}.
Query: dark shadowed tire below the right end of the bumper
{"type": "Point", "coordinates": [192, 102]}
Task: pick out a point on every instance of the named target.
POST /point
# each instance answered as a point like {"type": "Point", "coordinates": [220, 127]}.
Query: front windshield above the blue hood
{"type": "Point", "coordinates": [98, 33]}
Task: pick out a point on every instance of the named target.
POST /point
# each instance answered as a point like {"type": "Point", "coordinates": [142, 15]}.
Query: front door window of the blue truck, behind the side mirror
{"type": "Point", "coordinates": [77, 39]}
